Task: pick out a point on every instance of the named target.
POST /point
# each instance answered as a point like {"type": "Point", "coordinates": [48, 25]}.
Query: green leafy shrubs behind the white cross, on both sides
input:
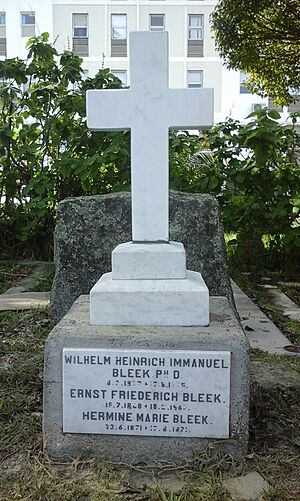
{"type": "Point", "coordinates": [47, 154]}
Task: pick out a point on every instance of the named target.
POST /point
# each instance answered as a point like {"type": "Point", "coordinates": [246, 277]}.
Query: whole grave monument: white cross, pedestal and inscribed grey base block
{"type": "Point", "coordinates": [147, 377]}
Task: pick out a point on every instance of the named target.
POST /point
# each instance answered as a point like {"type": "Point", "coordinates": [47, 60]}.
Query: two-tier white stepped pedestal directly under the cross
{"type": "Point", "coordinates": [149, 285]}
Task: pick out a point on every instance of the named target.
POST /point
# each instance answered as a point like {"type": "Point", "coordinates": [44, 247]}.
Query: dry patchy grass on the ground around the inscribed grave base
{"type": "Point", "coordinates": [27, 474]}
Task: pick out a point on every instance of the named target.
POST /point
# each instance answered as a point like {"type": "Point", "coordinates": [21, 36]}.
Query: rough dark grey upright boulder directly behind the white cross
{"type": "Point", "coordinates": [89, 228]}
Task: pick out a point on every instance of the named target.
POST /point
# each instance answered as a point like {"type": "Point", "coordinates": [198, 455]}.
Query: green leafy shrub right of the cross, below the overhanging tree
{"type": "Point", "coordinates": [253, 171]}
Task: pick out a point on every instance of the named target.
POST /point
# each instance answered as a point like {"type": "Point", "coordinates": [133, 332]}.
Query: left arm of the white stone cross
{"type": "Point", "coordinates": [109, 109]}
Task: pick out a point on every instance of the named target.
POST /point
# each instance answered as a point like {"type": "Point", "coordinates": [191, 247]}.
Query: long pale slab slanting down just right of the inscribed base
{"type": "Point", "coordinates": [259, 329]}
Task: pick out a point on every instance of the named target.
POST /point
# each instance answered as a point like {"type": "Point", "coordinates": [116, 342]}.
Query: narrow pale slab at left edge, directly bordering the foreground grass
{"type": "Point", "coordinates": [24, 301]}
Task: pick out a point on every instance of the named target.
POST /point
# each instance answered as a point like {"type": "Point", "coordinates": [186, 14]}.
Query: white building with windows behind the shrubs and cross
{"type": "Point", "coordinates": [98, 30]}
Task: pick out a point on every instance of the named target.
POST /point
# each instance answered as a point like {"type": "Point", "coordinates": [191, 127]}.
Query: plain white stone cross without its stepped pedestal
{"type": "Point", "coordinates": [149, 108]}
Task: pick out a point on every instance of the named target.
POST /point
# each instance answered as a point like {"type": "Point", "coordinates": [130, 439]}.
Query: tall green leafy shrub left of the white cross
{"type": "Point", "coordinates": [47, 152]}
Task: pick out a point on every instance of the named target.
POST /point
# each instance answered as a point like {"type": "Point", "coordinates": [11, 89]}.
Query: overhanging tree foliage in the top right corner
{"type": "Point", "coordinates": [261, 38]}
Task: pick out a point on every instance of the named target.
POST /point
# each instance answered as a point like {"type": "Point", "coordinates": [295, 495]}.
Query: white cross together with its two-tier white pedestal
{"type": "Point", "coordinates": [149, 283]}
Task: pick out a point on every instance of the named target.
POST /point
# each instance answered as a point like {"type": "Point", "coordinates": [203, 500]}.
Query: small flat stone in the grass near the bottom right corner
{"type": "Point", "coordinates": [250, 487]}
